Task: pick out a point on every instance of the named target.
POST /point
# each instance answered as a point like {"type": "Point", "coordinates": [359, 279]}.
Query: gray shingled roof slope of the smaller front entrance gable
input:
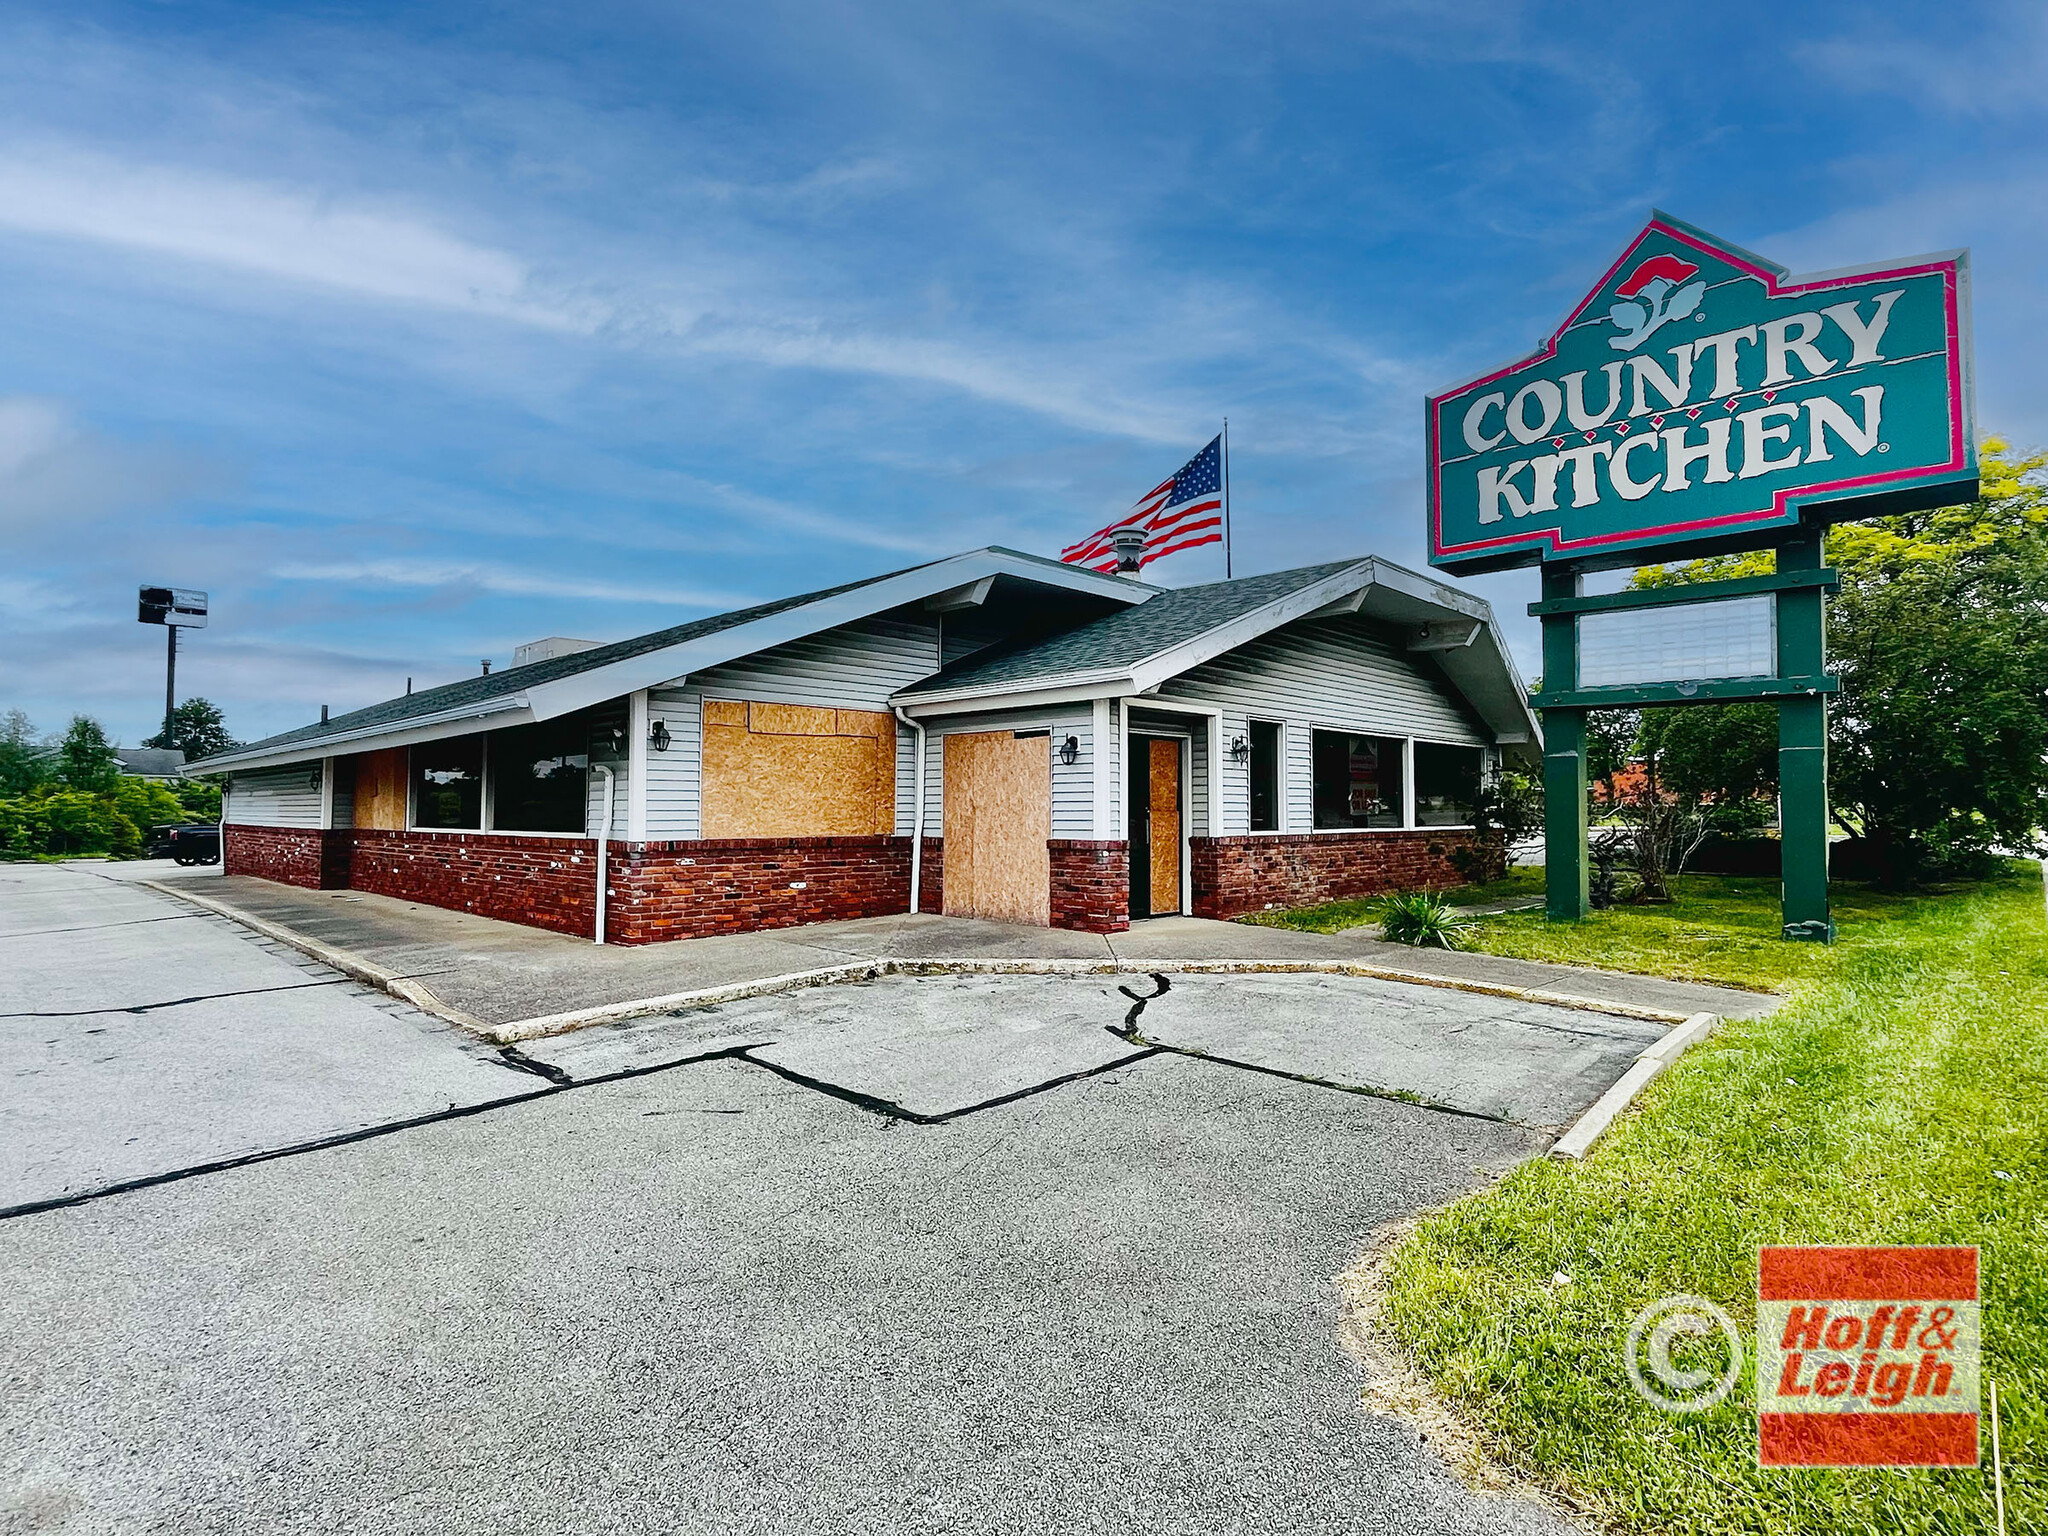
{"type": "Point", "coordinates": [1132, 636]}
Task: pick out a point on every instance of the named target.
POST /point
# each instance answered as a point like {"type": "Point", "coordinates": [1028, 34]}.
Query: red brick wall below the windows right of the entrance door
{"type": "Point", "coordinates": [1236, 876]}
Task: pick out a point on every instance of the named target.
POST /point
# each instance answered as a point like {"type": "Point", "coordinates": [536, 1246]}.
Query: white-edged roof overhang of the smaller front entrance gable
{"type": "Point", "coordinates": [1455, 628]}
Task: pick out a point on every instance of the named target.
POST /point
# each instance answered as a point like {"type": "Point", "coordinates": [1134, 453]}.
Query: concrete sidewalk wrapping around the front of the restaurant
{"type": "Point", "coordinates": [503, 974]}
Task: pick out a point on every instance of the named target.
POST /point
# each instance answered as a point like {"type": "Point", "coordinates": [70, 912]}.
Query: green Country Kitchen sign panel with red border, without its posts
{"type": "Point", "coordinates": [1699, 400]}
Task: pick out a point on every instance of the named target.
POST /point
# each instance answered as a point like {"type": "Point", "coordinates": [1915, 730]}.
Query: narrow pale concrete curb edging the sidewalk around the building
{"type": "Point", "coordinates": [546, 1025]}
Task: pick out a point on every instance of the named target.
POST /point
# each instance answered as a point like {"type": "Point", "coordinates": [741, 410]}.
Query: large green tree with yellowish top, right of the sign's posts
{"type": "Point", "coordinates": [1938, 740]}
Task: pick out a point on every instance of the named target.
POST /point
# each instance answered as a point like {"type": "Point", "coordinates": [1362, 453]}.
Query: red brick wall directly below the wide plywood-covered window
{"type": "Point", "coordinates": [740, 886]}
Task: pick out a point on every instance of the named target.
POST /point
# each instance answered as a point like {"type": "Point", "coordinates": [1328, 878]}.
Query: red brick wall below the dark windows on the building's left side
{"type": "Point", "coordinates": [540, 882]}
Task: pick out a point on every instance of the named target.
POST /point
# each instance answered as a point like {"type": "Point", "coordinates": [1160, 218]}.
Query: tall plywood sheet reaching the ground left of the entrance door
{"type": "Point", "coordinates": [998, 820]}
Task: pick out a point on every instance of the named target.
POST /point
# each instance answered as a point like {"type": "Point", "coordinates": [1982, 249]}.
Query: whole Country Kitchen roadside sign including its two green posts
{"type": "Point", "coordinates": [1701, 402]}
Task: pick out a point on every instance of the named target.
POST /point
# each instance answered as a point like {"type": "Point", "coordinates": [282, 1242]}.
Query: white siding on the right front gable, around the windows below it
{"type": "Point", "coordinates": [1316, 675]}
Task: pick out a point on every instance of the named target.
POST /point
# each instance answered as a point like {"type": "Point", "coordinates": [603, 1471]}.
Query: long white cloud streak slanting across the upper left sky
{"type": "Point", "coordinates": [392, 255]}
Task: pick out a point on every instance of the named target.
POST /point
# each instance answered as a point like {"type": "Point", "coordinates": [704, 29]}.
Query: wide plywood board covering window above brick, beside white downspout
{"type": "Point", "coordinates": [790, 771]}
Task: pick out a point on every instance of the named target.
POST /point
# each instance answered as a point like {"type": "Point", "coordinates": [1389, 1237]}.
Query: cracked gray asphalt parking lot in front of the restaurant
{"type": "Point", "coordinates": [1013, 1254]}
